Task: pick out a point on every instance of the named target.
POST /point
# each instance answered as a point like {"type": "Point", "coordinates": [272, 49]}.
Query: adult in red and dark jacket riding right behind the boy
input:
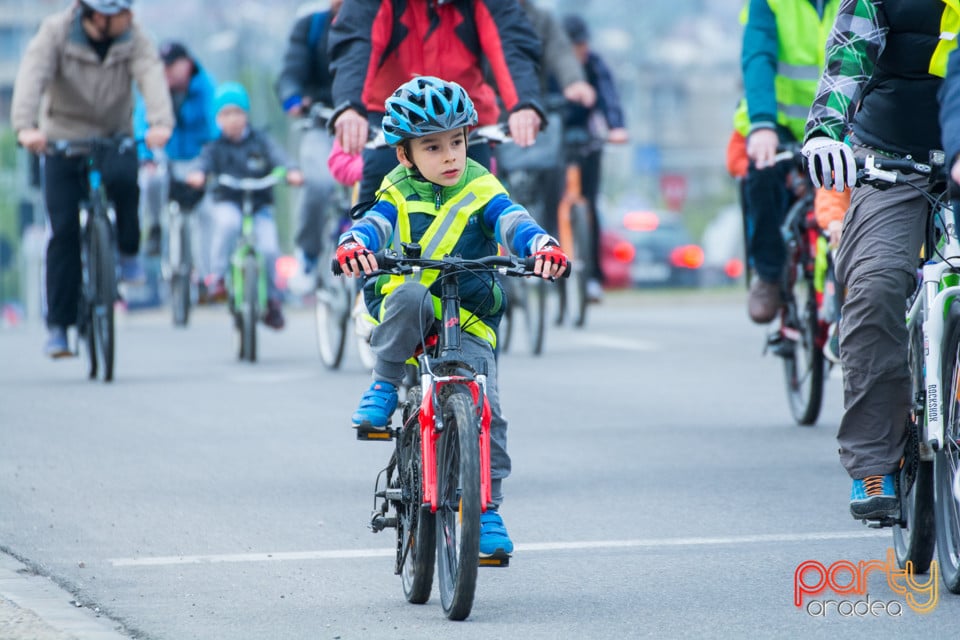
{"type": "Point", "coordinates": [376, 45]}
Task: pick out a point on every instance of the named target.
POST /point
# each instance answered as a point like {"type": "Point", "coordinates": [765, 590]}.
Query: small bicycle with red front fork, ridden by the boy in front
{"type": "Point", "coordinates": [437, 482]}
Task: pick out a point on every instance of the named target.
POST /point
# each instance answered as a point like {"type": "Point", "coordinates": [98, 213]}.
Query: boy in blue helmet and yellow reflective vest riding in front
{"type": "Point", "coordinates": [449, 205]}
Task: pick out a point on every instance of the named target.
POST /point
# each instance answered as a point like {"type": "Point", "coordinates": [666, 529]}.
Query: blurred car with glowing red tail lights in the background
{"type": "Point", "coordinates": [649, 248]}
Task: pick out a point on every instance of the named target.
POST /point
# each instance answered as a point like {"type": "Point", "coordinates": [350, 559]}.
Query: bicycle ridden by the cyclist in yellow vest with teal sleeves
{"type": "Point", "coordinates": [802, 327]}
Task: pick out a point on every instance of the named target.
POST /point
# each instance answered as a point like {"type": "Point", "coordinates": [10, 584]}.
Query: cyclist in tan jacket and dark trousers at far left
{"type": "Point", "coordinates": [76, 81]}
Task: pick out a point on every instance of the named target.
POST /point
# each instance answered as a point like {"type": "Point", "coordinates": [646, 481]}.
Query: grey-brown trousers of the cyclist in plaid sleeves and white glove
{"type": "Point", "coordinates": [877, 265]}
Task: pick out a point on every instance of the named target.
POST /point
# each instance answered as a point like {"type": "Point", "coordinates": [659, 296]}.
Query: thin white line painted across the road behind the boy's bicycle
{"type": "Point", "coordinates": [345, 554]}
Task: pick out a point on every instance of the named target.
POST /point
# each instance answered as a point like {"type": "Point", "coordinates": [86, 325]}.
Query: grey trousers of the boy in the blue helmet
{"type": "Point", "coordinates": [408, 309]}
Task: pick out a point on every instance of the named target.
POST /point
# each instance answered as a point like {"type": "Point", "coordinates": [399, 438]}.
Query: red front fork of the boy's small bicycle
{"type": "Point", "coordinates": [431, 426]}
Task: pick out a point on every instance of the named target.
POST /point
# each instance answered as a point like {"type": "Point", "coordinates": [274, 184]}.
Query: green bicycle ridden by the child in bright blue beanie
{"type": "Point", "coordinates": [247, 281]}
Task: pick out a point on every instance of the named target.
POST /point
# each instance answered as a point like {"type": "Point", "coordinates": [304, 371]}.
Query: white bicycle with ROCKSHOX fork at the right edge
{"type": "Point", "coordinates": [930, 469]}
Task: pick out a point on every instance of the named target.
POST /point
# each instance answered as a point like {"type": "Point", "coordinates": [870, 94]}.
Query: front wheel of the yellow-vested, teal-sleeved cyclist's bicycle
{"type": "Point", "coordinates": [803, 367]}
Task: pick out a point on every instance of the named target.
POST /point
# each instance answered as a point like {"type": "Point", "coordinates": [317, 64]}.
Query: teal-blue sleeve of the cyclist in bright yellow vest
{"type": "Point", "coordinates": [758, 62]}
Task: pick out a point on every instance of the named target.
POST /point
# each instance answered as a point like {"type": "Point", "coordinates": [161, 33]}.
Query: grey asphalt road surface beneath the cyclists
{"type": "Point", "coordinates": [660, 488]}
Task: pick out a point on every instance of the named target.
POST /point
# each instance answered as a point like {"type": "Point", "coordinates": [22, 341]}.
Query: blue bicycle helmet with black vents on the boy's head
{"type": "Point", "coordinates": [426, 105]}
